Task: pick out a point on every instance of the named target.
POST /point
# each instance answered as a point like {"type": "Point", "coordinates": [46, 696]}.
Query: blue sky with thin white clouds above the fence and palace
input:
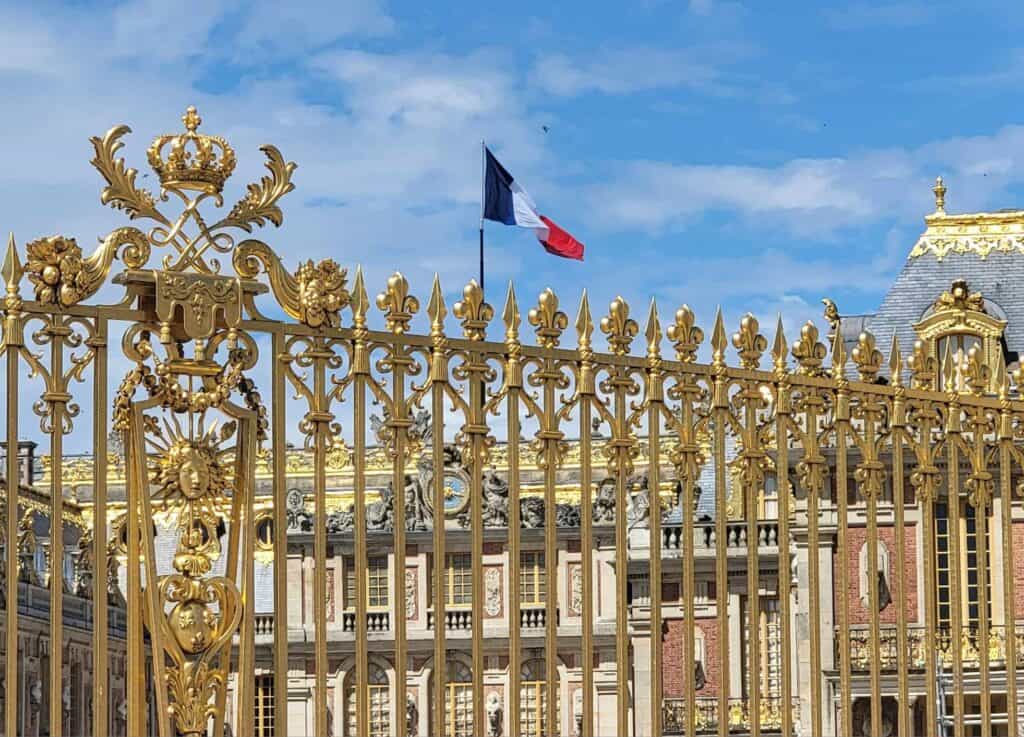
{"type": "Point", "coordinates": [756, 155]}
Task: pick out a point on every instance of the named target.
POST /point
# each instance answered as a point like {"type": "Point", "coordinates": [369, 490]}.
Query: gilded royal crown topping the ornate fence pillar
{"type": "Point", "coordinates": [194, 161]}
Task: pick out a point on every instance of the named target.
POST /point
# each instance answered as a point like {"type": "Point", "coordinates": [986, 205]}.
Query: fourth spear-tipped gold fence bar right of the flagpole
{"type": "Point", "coordinates": [720, 410]}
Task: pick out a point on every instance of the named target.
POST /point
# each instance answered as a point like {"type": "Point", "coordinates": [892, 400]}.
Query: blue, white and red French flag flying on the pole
{"type": "Point", "coordinates": [506, 202]}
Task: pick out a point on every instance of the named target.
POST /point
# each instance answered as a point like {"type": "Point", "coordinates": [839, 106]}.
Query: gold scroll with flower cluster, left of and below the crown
{"type": "Point", "coordinates": [63, 278]}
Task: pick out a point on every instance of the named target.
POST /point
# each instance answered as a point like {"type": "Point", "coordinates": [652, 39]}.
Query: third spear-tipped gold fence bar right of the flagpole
{"type": "Point", "coordinates": [655, 409]}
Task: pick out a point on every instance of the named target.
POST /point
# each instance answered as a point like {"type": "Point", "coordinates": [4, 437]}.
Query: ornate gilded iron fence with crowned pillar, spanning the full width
{"type": "Point", "coordinates": [844, 446]}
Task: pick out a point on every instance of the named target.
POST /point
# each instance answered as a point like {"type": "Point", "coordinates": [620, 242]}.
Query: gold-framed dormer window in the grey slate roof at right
{"type": "Point", "coordinates": [960, 322]}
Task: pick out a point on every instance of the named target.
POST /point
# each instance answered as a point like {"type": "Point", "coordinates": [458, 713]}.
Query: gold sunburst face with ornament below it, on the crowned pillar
{"type": "Point", "coordinates": [191, 468]}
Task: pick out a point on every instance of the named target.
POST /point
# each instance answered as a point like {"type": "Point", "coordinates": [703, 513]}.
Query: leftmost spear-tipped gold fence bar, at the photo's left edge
{"type": "Point", "coordinates": [13, 346]}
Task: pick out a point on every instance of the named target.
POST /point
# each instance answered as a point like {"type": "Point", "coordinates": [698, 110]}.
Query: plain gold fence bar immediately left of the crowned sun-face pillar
{"type": "Point", "coordinates": [100, 614]}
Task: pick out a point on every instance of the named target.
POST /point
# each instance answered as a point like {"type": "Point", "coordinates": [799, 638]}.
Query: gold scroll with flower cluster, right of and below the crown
{"type": "Point", "coordinates": [315, 295]}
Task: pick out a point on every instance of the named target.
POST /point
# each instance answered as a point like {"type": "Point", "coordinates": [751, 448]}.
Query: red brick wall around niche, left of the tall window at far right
{"type": "Point", "coordinates": [857, 538]}
